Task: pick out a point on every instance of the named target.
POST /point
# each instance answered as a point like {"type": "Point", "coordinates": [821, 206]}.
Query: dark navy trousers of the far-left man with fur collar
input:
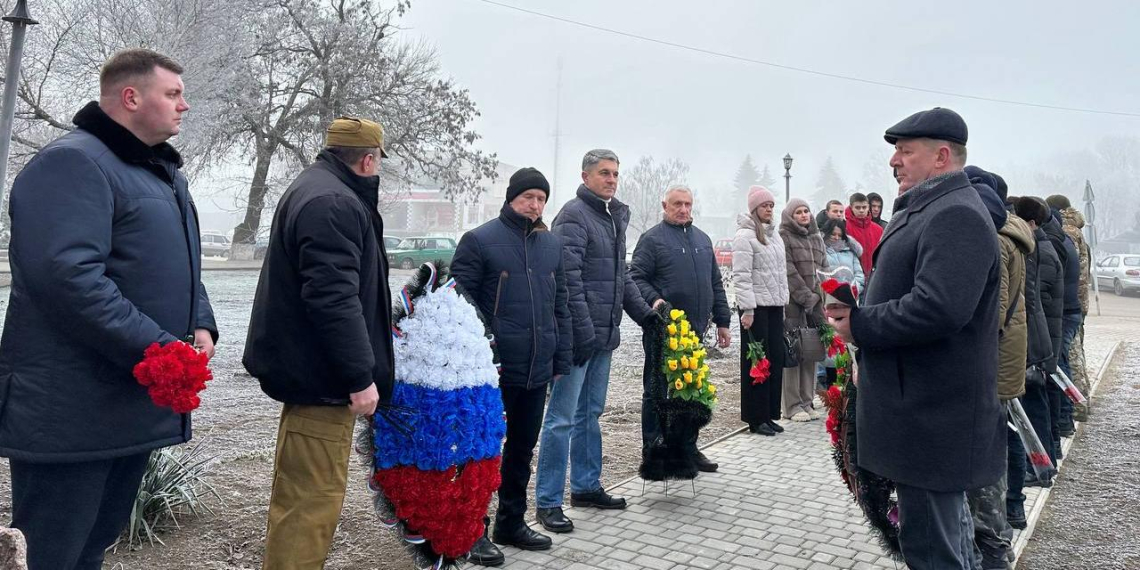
{"type": "Point", "coordinates": [71, 514]}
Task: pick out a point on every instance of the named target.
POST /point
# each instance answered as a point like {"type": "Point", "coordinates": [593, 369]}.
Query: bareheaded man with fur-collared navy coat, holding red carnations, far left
{"type": "Point", "coordinates": [105, 262]}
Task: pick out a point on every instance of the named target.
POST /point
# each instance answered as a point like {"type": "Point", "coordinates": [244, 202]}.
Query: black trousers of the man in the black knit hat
{"type": "Point", "coordinates": [524, 421]}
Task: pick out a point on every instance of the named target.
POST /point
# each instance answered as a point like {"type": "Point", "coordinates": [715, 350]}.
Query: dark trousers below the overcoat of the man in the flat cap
{"type": "Point", "coordinates": [935, 530]}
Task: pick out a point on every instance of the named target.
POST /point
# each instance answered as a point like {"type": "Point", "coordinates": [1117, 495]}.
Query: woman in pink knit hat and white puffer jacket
{"type": "Point", "coordinates": [760, 280]}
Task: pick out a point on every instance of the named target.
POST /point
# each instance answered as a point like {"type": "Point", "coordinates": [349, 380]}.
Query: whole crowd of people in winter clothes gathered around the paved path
{"type": "Point", "coordinates": [970, 298]}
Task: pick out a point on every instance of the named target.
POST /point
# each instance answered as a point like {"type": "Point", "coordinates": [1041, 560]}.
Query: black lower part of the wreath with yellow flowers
{"type": "Point", "coordinates": [673, 454]}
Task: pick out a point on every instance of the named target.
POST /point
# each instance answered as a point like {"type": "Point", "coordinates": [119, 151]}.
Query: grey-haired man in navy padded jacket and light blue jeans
{"type": "Point", "coordinates": [593, 231]}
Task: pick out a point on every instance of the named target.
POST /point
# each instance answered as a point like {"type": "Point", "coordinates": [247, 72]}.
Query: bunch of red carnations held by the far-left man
{"type": "Point", "coordinates": [174, 376]}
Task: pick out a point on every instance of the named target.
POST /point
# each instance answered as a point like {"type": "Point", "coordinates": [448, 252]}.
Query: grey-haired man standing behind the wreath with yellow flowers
{"type": "Point", "coordinates": [674, 262]}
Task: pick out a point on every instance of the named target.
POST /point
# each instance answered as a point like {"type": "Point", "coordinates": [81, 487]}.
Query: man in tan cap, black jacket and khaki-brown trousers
{"type": "Point", "coordinates": [321, 337]}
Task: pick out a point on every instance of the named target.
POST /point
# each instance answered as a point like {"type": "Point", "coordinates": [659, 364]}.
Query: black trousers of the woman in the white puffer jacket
{"type": "Point", "coordinates": [761, 403]}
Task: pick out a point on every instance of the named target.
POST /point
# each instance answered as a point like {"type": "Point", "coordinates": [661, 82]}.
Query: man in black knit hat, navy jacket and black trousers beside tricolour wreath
{"type": "Point", "coordinates": [512, 268]}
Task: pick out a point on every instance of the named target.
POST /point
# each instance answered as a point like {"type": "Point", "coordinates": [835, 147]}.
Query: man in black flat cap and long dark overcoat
{"type": "Point", "coordinates": [927, 412]}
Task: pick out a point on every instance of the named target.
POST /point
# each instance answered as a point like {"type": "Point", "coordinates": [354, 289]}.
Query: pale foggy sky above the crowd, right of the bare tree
{"type": "Point", "coordinates": [640, 99]}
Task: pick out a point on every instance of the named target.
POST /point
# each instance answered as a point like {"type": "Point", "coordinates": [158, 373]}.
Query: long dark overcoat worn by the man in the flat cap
{"type": "Point", "coordinates": [927, 411]}
